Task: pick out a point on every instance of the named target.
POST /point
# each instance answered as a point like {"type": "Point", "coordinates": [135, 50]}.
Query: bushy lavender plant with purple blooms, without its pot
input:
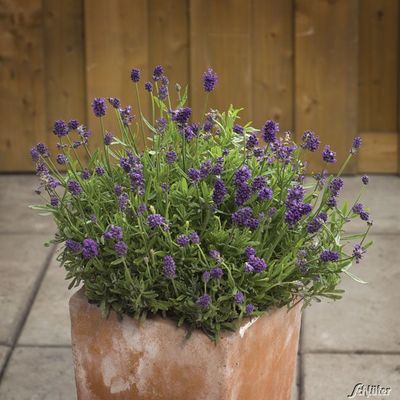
{"type": "Point", "coordinates": [211, 222]}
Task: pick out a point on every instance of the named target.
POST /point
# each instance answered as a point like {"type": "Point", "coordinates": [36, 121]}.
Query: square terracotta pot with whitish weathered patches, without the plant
{"type": "Point", "coordinates": [152, 360]}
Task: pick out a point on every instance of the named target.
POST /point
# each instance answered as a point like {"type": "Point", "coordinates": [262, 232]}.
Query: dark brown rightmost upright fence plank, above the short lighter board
{"type": "Point", "coordinates": [378, 65]}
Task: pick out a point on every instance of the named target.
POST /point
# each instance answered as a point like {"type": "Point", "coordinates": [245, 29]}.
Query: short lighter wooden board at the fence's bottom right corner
{"type": "Point", "coordinates": [379, 152]}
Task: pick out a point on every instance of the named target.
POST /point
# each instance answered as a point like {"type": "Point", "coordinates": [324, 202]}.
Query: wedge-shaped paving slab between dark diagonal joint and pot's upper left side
{"type": "Point", "coordinates": [48, 322]}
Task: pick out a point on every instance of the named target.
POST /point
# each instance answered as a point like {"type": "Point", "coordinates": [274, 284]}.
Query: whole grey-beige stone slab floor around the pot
{"type": "Point", "coordinates": [356, 340]}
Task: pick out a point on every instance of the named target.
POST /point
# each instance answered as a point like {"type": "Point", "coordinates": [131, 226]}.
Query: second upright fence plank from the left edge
{"type": "Point", "coordinates": [65, 62]}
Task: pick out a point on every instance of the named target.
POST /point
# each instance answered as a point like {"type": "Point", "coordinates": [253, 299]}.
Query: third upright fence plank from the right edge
{"type": "Point", "coordinates": [272, 61]}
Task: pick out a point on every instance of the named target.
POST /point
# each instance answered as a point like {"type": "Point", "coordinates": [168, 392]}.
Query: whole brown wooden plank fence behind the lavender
{"type": "Point", "coordinates": [327, 65]}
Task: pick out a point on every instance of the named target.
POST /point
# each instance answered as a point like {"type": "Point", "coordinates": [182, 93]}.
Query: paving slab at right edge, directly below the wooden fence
{"type": "Point", "coordinates": [381, 197]}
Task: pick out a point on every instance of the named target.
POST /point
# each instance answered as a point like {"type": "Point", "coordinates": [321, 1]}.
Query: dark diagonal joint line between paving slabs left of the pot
{"type": "Point", "coordinates": [25, 314]}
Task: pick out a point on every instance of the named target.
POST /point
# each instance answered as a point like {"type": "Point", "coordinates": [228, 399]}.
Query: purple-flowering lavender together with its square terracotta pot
{"type": "Point", "coordinates": [196, 253]}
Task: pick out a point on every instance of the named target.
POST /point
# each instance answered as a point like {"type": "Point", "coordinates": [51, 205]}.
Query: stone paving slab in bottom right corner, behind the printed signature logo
{"type": "Point", "coordinates": [333, 376]}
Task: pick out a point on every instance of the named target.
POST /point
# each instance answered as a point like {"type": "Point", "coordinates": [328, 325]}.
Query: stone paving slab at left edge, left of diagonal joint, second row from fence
{"type": "Point", "coordinates": [22, 261]}
